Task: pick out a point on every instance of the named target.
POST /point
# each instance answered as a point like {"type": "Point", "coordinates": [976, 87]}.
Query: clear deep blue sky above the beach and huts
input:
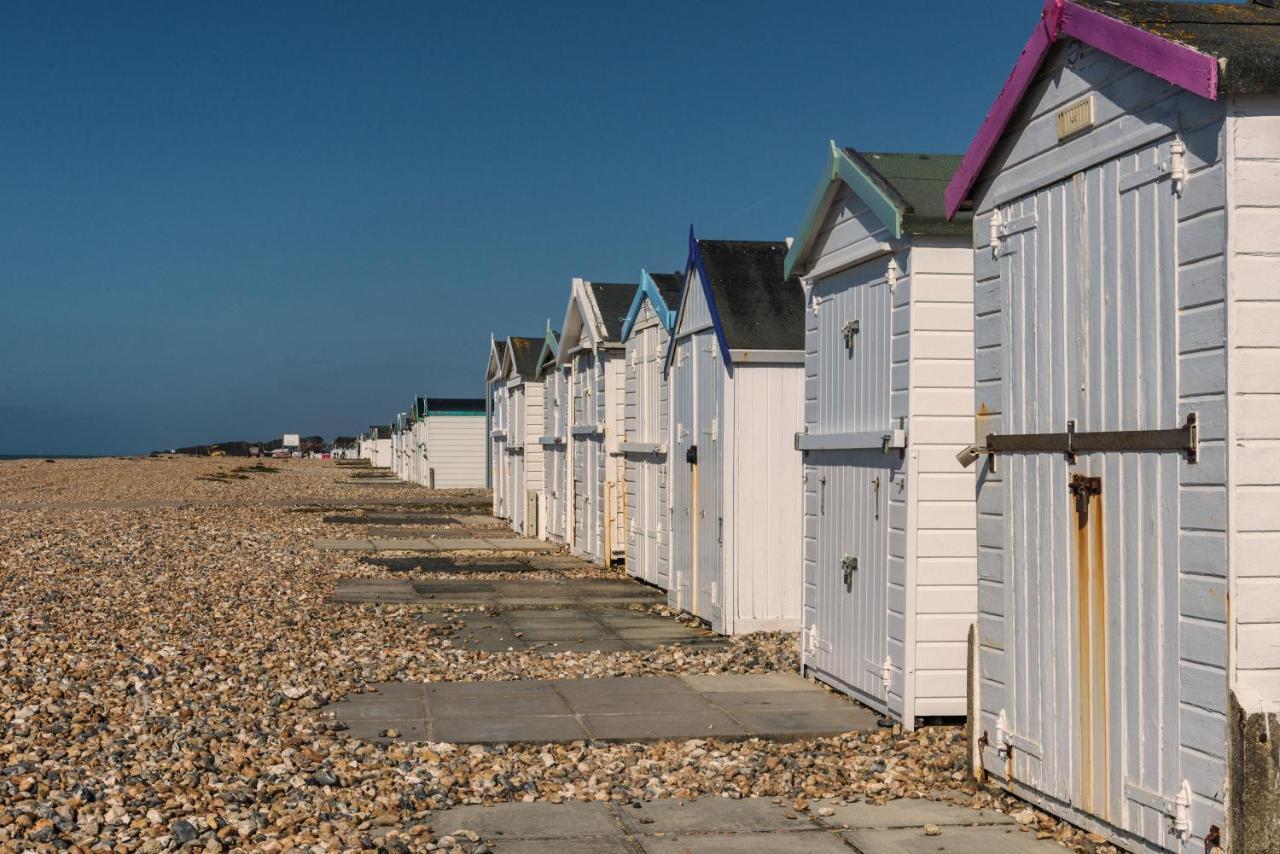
{"type": "Point", "coordinates": [240, 220]}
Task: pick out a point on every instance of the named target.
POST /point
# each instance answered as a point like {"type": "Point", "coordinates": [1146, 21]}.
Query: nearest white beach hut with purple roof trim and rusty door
{"type": "Point", "coordinates": [1126, 195]}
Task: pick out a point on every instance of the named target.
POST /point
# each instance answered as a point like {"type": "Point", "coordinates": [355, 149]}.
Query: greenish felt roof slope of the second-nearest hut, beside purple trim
{"type": "Point", "coordinates": [917, 184]}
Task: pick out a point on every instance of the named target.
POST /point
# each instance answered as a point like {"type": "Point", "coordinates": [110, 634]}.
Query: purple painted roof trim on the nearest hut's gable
{"type": "Point", "coordinates": [1180, 65]}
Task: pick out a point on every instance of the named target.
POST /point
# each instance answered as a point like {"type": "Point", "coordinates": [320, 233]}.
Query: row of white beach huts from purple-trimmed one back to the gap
{"type": "Point", "coordinates": [998, 433]}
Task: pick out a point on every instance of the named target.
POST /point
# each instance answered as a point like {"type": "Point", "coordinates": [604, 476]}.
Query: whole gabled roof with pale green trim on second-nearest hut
{"type": "Point", "coordinates": [906, 191]}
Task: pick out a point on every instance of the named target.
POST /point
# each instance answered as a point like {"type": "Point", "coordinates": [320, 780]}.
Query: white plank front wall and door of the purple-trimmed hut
{"type": "Point", "coordinates": [1109, 312]}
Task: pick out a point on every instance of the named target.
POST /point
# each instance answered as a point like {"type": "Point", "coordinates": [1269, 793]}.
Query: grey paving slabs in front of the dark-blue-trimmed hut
{"type": "Point", "coordinates": [575, 631]}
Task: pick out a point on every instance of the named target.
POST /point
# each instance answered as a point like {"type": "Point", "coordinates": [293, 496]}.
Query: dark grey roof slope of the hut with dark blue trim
{"type": "Point", "coordinates": [758, 307]}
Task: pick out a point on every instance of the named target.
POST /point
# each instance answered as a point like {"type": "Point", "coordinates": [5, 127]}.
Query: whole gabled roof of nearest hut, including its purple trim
{"type": "Point", "coordinates": [1206, 49]}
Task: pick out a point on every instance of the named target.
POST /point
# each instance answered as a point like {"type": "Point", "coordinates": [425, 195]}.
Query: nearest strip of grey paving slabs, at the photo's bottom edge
{"type": "Point", "coordinates": [748, 826]}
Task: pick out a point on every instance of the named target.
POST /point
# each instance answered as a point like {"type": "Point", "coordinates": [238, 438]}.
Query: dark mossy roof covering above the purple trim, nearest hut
{"type": "Point", "coordinates": [1247, 36]}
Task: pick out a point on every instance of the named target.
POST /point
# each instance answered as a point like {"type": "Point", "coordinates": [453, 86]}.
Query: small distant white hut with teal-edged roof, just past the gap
{"type": "Point", "coordinates": [454, 442]}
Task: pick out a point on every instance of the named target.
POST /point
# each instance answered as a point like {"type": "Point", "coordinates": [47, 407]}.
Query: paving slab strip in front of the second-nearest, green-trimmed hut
{"type": "Point", "coordinates": [647, 709]}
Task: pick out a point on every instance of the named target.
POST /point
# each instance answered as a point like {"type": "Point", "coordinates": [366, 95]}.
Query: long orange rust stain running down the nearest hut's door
{"type": "Point", "coordinates": [1091, 609]}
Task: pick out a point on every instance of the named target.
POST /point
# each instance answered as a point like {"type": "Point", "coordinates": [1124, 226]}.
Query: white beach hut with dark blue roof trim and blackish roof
{"type": "Point", "coordinates": [735, 368]}
